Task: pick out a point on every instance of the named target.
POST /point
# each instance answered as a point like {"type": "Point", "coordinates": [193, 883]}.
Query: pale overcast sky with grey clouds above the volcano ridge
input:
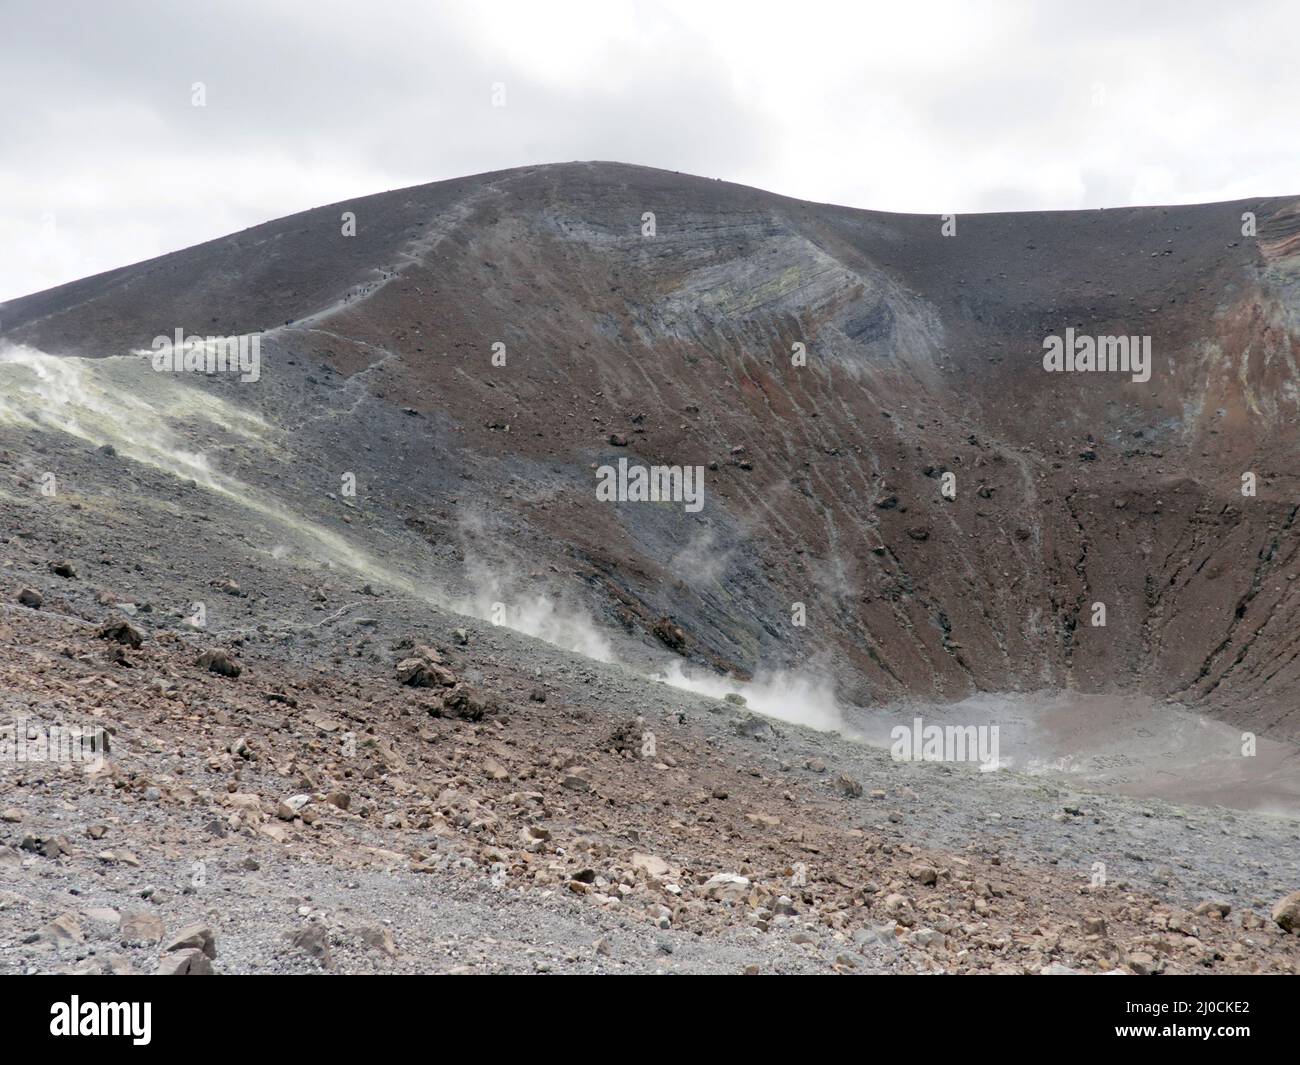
{"type": "Point", "coordinates": [905, 106]}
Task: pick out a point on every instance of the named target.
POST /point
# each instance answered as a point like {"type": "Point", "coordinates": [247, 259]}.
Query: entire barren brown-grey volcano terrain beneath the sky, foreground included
{"type": "Point", "coordinates": [902, 509]}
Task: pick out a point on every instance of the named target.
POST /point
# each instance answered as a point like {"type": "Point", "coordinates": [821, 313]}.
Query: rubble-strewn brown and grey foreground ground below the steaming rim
{"type": "Point", "coordinates": [323, 815]}
